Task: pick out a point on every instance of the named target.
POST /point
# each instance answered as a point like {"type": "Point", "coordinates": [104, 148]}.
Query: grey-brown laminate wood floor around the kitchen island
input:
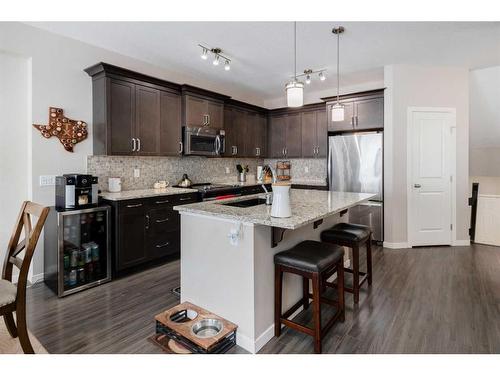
{"type": "Point", "coordinates": [425, 300]}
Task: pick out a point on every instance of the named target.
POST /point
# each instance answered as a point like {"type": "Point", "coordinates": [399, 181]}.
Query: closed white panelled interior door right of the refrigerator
{"type": "Point", "coordinates": [429, 177]}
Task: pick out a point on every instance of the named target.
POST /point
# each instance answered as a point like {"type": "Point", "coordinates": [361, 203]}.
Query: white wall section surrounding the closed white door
{"type": "Point", "coordinates": [422, 86]}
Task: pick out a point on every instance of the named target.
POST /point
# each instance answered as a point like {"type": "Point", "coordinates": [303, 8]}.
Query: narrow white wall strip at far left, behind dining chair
{"type": "Point", "coordinates": [14, 142]}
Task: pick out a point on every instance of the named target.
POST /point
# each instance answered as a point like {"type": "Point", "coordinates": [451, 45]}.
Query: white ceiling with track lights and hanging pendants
{"type": "Point", "coordinates": [262, 52]}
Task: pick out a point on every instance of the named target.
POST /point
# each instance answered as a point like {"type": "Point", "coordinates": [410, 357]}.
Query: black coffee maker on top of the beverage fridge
{"type": "Point", "coordinates": [75, 191]}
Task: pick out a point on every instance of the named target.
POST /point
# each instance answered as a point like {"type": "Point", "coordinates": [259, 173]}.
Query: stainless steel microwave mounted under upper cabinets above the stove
{"type": "Point", "coordinates": [204, 141]}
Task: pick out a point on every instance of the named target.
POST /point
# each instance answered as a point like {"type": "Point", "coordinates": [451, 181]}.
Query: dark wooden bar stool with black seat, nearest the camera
{"type": "Point", "coordinates": [313, 260]}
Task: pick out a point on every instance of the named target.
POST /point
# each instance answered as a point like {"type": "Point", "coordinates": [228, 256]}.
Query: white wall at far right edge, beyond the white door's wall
{"type": "Point", "coordinates": [485, 122]}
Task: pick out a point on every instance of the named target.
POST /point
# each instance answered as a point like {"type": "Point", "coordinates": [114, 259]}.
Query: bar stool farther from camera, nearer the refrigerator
{"type": "Point", "coordinates": [353, 236]}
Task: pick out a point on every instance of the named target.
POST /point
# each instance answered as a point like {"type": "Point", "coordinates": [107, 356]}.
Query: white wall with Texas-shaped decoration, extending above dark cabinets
{"type": "Point", "coordinates": [58, 80]}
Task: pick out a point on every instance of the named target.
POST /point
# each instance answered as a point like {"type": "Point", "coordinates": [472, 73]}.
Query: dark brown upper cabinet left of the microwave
{"type": "Point", "coordinates": [134, 114]}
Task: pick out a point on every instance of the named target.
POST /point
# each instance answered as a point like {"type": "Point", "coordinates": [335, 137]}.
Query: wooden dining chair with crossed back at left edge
{"type": "Point", "coordinates": [12, 297]}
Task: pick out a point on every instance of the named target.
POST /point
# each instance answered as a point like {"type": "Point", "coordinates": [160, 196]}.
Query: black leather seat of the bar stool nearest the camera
{"type": "Point", "coordinates": [310, 256]}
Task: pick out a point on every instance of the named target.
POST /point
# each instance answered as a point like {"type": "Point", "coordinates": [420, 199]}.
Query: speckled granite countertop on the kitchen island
{"type": "Point", "coordinates": [307, 207]}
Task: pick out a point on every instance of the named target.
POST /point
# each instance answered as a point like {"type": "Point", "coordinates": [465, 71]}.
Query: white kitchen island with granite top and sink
{"type": "Point", "coordinates": [227, 255]}
